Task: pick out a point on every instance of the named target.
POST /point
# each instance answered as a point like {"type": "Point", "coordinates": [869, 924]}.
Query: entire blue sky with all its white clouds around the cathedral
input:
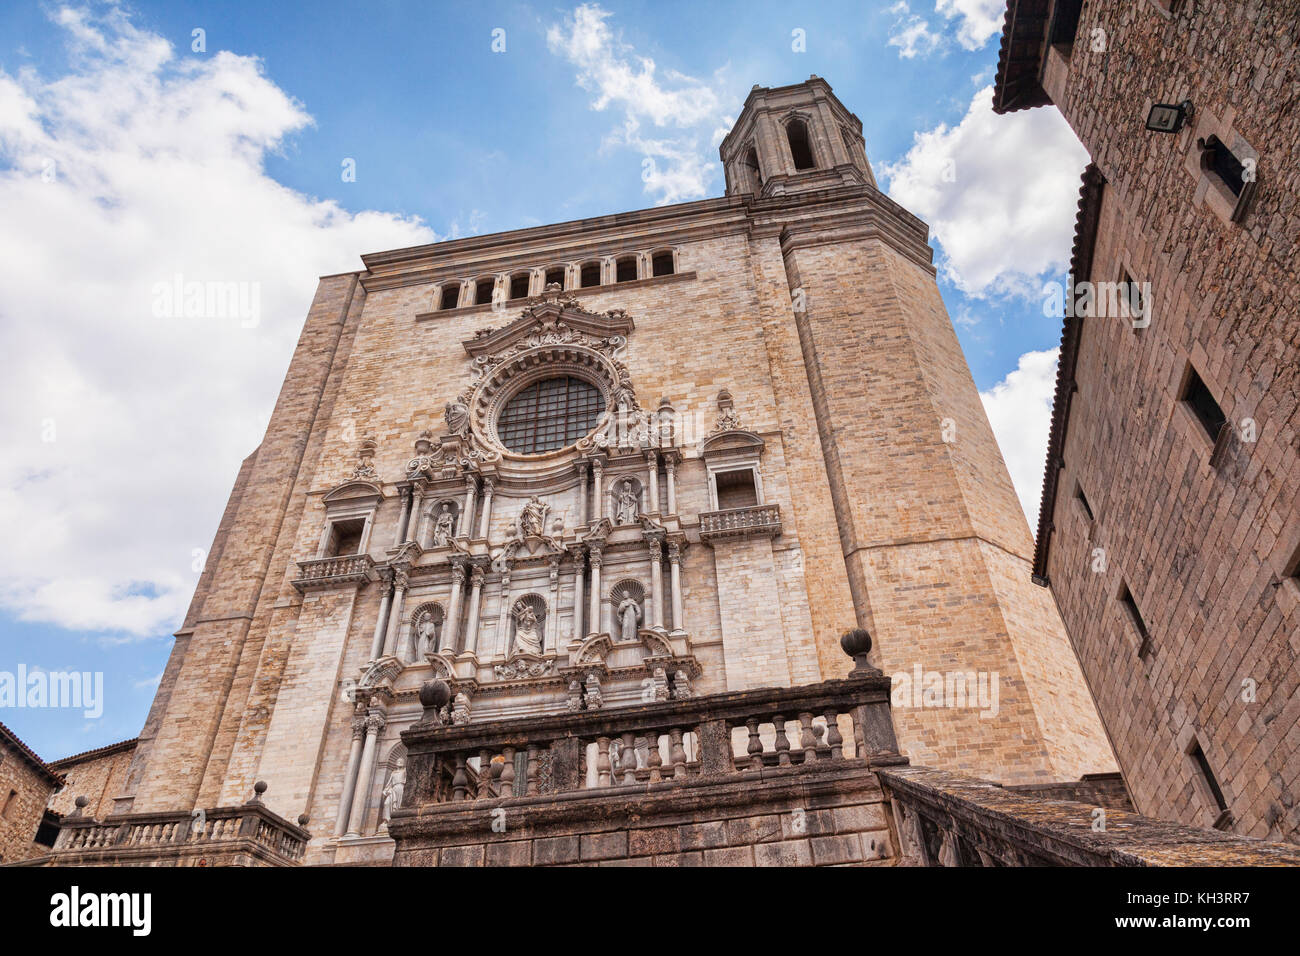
{"type": "Point", "coordinates": [128, 158]}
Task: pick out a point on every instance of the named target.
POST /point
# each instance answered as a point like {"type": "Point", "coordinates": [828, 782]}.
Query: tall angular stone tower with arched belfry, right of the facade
{"type": "Point", "coordinates": [935, 547]}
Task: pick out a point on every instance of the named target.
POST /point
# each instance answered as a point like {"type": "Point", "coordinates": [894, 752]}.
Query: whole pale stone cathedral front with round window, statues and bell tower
{"type": "Point", "coordinates": [645, 457]}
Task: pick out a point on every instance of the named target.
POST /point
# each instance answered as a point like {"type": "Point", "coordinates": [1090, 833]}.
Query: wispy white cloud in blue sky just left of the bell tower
{"type": "Point", "coordinates": [677, 167]}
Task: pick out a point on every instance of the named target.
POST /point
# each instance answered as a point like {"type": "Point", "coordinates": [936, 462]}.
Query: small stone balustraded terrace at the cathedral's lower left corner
{"type": "Point", "coordinates": [249, 836]}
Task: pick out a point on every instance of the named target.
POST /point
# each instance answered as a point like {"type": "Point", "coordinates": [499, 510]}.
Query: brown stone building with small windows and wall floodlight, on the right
{"type": "Point", "coordinates": [1171, 522]}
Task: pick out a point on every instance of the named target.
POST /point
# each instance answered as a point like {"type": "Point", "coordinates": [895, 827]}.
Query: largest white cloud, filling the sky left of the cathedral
{"type": "Point", "coordinates": [122, 432]}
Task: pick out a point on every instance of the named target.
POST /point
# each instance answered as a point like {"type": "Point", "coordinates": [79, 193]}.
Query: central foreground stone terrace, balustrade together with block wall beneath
{"type": "Point", "coordinates": [764, 777]}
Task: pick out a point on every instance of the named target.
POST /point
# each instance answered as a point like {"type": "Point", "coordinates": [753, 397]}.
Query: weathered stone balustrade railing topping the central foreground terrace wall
{"type": "Point", "coordinates": [653, 745]}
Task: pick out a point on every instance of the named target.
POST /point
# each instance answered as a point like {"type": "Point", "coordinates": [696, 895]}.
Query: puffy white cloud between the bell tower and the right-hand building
{"type": "Point", "coordinates": [999, 192]}
